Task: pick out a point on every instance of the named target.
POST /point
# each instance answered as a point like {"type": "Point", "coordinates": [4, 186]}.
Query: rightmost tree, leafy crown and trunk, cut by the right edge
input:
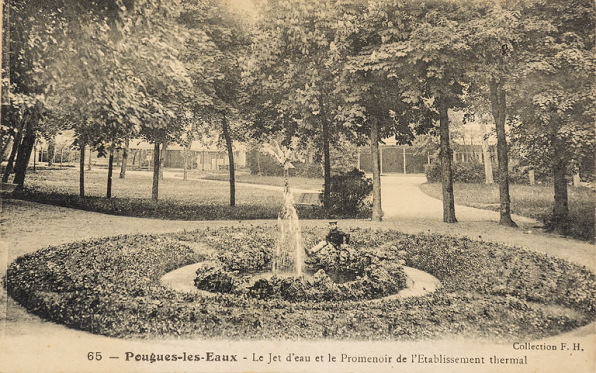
{"type": "Point", "coordinates": [556, 112]}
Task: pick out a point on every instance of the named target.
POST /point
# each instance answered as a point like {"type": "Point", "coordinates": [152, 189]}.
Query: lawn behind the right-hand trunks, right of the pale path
{"type": "Point", "coordinates": [533, 201]}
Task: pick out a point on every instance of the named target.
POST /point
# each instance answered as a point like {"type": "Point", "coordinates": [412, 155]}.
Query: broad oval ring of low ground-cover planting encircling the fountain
{"type": "Point", "coordinates": [111, 286]}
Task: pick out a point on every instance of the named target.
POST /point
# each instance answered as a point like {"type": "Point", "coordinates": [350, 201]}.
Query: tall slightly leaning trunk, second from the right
{"type": "Point", "coordinates": [499, 110]}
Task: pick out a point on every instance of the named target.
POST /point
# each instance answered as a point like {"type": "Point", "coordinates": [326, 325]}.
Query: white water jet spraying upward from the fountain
{"type": "Point", "coordinates": [288, 255]}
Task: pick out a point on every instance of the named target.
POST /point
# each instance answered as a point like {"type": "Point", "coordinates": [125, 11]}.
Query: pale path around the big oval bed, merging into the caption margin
{"type": "Point", "coordinates": [29, 344]}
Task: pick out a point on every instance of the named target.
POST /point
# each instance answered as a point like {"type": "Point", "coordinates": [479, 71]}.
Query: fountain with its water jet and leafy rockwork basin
{"type": "Point", "coordinates": [279, 271]}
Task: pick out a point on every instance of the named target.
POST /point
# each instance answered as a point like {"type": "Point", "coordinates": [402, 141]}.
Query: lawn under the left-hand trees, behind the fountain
{"type": "Point", "coordinates": [180, 200]}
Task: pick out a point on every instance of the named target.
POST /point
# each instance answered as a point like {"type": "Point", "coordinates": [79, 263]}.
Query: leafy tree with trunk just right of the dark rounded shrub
{"type": "Point", "coordinates": [375, 96]}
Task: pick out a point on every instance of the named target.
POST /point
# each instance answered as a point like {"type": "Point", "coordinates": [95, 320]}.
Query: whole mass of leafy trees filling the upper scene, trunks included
{"type": "Point", "coordinates": [312, 73]}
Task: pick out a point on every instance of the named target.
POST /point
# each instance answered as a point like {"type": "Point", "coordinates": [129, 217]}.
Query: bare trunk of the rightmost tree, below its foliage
{"type": "Point", "coordinates": [559, 221]}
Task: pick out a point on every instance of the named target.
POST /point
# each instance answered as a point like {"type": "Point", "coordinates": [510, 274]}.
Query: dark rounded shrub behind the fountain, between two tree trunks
{"type": "Point", "coordinates": [349, 192]}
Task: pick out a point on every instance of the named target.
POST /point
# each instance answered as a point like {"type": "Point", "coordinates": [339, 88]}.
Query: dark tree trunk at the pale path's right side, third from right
{"type": "Point", "coordinates": [446, 171]}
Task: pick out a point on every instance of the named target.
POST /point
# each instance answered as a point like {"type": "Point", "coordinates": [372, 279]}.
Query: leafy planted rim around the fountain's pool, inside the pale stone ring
{"type": "Point", "coordinates": [353, 272]}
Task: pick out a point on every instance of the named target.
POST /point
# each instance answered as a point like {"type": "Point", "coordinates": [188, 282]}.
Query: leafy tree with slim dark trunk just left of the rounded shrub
{"type": "Point", "coordinates": [294, 73]}
